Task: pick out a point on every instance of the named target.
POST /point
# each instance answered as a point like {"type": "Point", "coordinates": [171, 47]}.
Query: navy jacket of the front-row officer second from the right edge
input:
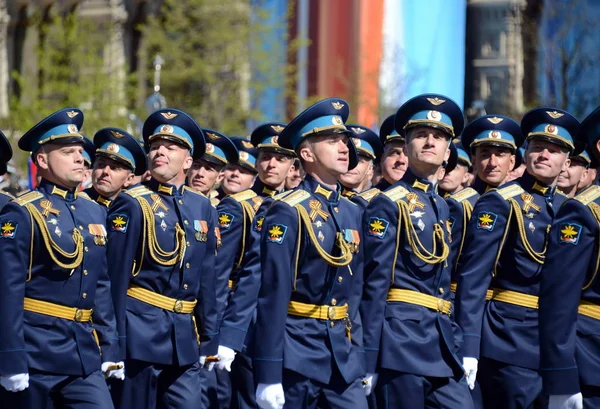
{"type": "Point", "coordinates": [504, 249]}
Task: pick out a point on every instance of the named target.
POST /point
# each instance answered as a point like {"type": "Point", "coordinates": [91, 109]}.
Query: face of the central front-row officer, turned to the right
{"type": "Point", "coordinates": [328, 154]}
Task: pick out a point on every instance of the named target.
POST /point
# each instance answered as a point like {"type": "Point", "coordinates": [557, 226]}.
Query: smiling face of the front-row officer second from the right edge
{"type": "Point", "coordinates": [545, 160]}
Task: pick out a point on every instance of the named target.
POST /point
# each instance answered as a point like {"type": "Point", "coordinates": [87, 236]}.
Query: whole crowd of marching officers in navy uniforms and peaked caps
{"type": "Point", "coordinates": [430, 265]}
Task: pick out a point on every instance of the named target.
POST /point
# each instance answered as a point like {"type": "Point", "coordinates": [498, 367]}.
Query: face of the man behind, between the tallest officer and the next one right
{"type": "Point", "coordinates": [492, 163]}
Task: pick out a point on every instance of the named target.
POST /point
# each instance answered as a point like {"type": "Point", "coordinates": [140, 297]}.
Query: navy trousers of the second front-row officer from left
{"type": "Point", "coordinates": [155, 386]}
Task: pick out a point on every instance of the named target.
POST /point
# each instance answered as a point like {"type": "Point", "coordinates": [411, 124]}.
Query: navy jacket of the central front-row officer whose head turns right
{"type": "Point", "coordinates": [293, 270]}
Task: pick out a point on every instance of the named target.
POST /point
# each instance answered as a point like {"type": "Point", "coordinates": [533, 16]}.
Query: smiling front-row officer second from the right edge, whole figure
{"type": "Point", "coordinates": [504, 251]}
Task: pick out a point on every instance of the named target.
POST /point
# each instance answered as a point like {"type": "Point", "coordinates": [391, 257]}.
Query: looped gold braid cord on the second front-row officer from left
{"type": "Point", "coordinates": [162, 257]}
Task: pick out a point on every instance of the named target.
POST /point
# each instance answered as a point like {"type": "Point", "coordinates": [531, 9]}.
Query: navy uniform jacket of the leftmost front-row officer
{"type": "Point", "coordinates": [29, 340]}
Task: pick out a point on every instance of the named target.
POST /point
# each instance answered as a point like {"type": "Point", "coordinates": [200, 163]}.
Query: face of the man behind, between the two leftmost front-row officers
{"type": "Point", "coordinates": [110, 176]}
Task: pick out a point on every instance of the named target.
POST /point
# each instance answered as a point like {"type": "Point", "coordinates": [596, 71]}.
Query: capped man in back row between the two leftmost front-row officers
{"type": "Point", "coordinates": [118, 159]}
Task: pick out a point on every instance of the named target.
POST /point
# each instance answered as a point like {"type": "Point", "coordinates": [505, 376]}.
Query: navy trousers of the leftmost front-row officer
{"type": "Point", "coordinates": [56, 391]}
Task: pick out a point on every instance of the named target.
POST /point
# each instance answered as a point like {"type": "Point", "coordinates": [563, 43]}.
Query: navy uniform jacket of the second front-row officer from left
{"type": "Point", "coordinates": [148, 333]}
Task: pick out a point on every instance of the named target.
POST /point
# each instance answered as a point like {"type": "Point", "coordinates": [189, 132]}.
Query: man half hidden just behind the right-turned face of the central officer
{"type": "Point", "coordinates": [369, 149]}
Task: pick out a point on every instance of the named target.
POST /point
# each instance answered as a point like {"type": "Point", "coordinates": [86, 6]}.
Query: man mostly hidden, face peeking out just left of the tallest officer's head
{"type": "Point", "coordinates": [394, 161]}
